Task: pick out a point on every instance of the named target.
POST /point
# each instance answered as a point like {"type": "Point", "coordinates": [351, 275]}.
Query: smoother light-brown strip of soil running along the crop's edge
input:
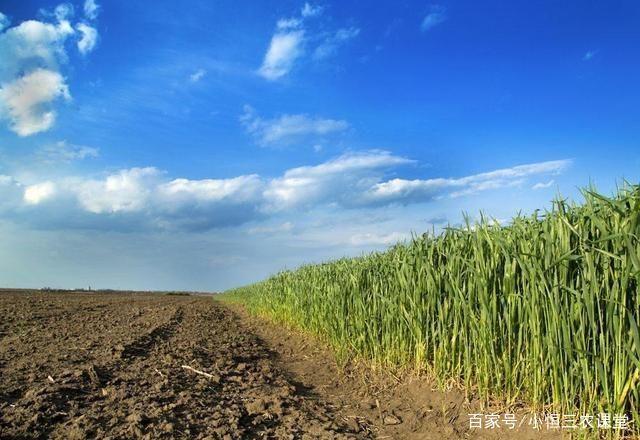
{"type": "Point", "coordinates": [388, 407]}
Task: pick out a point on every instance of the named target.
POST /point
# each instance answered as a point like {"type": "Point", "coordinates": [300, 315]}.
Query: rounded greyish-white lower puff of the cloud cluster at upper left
{"type": "Point", "coordinates": [27, 100]}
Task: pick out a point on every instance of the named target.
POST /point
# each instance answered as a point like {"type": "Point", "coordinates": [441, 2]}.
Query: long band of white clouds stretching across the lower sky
{"type": "Point", "coordinates": [148, 199]}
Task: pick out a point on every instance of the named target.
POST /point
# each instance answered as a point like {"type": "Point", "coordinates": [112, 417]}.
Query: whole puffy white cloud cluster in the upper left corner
{"type": "Point", "coordinates": [31, 81]}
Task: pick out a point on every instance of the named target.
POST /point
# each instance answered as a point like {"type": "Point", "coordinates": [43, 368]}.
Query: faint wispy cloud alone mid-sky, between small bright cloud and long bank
{"type": "Point", "coordinates": [288, 128]}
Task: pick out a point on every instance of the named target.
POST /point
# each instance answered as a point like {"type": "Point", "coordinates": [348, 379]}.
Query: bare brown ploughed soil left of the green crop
{"type": "Point", "coordinates": [112, 366]}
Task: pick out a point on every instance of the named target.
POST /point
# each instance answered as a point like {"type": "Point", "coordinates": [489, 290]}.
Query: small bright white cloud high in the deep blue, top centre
{"type": "Point", "coordinates": [284, 49]}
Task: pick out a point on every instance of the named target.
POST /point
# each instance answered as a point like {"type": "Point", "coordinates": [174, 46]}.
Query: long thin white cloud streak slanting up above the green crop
{"type": "Point", "coordinates": [411, 191]}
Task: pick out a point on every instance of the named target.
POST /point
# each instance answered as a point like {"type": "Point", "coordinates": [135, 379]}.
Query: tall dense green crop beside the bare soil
{"type": "Point", "coordinates": [542, 311]}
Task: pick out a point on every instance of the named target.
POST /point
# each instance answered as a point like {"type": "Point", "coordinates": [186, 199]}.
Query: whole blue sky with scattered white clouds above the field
{"type": "Point", "coordinates": [203, 145]}
